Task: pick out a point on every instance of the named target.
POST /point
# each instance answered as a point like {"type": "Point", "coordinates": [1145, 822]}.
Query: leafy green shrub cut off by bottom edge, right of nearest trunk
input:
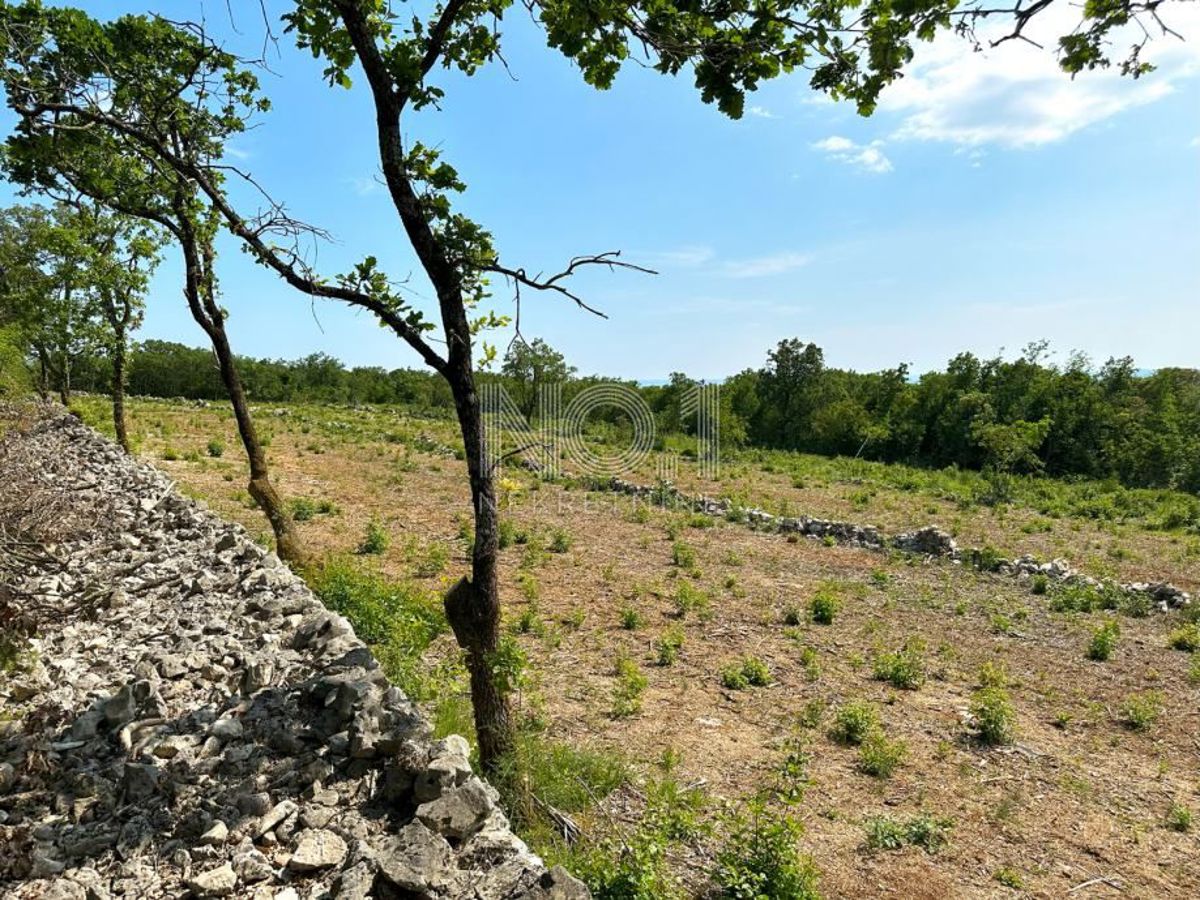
{"type": "Point", "coordinates": [760, 859]}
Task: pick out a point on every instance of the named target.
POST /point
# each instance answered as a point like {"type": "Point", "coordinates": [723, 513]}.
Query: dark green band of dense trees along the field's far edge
{"type": "Point", "coordinates": [1021, 416]}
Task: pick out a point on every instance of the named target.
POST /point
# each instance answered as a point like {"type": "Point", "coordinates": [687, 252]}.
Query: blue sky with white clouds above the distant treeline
{"type": "Point", "coordinates": [991, 202]}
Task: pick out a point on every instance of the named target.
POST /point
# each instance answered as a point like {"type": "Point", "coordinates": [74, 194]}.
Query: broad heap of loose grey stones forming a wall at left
{"type": "Point", "coordinates": [189, 721]}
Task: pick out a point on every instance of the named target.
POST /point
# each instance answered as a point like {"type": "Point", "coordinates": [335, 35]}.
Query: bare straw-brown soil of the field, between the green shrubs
{"type": "Point", "coordinates": [1079, 800]}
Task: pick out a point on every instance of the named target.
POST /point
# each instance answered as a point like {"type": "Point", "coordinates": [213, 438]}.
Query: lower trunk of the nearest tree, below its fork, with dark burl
{"type": "Point", "coordinates": [475, 609]}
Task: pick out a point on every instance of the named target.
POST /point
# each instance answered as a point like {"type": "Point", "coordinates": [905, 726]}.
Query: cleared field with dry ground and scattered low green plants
{"type": "Point", "coordinates": [705, 706]}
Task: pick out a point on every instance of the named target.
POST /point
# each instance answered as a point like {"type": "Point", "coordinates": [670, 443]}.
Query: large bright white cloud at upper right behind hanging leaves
{"type": "Point", "coordinates": [1016, 95]}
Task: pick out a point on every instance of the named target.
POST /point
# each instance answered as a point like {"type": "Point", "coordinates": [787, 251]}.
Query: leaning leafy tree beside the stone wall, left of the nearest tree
{"type": "Point", "coordinates": [62, 53]}
